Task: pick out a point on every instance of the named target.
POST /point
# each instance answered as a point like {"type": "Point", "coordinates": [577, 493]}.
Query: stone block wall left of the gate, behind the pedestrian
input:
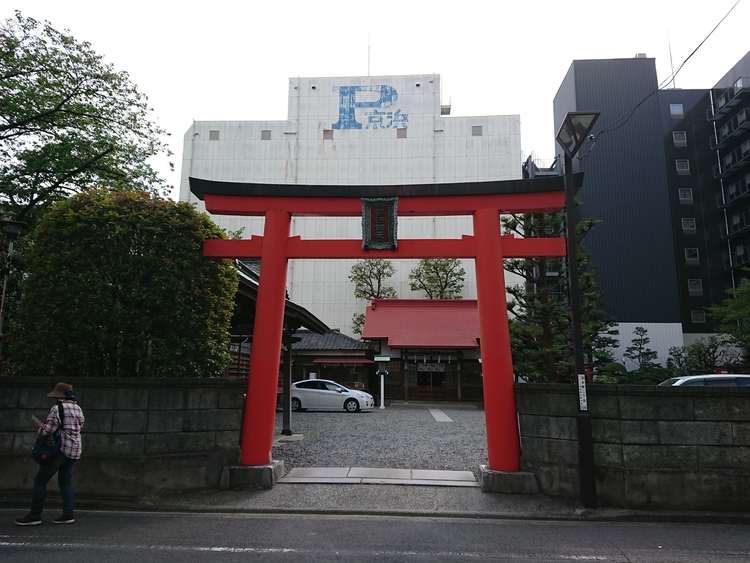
{"type": "Point", "coordinates": [140, 436]}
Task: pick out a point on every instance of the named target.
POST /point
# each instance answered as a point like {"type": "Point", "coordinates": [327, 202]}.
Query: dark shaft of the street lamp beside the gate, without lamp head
{"type": "Point", "coordinates": [587, 473]}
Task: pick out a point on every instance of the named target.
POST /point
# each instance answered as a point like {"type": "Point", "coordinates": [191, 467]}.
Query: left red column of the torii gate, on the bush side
{"type": "Point", "coordinates": [260, 404]}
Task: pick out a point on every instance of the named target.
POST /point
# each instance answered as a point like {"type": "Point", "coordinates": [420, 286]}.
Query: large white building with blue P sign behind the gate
{"type": "Point", "coordinates": [372, 130]}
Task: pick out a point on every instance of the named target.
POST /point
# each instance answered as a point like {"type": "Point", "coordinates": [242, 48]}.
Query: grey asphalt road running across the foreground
{"type": "Point", "coordinates": [104, 536]}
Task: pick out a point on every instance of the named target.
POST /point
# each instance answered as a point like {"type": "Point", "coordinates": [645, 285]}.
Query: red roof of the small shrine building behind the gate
{"type": "Point", "coordinates": [423, 323]}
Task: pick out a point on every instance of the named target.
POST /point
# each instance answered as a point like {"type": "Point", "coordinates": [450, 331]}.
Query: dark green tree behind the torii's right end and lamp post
{"type": "Point", "coordinates": [538, 308]}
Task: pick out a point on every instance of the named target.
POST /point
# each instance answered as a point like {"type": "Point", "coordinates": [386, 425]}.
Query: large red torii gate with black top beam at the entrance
{"type": "Point", "coordinates": [484, 201]}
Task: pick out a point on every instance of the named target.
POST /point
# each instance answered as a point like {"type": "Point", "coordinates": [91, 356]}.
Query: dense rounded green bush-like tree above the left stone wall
{"type": "Point", "coordinates": [118, 287]}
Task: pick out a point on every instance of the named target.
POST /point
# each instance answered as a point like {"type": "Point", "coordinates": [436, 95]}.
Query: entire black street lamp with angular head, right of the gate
{"type": "Point", "coordinates": [573, 132]}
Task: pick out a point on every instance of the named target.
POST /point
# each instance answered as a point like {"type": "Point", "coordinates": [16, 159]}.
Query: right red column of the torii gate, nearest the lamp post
{"type": "Point", "coordinates": [503, 443]}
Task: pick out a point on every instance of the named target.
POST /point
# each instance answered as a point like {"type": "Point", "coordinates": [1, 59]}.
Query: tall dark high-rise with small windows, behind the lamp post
{"type": "Point", "coordinates": [668, 176]}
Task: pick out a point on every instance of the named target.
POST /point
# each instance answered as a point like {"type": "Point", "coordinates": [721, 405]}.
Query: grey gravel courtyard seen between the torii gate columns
{"type": "Point", "coordinates": [398, 437]}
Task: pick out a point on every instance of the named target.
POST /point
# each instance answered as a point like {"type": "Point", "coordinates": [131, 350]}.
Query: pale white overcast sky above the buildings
{"type": "Point", "coordinates": [231, 60]}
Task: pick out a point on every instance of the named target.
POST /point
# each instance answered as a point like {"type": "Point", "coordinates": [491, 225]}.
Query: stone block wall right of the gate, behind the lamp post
{"type": "Point", "coordinates": [654, 447]}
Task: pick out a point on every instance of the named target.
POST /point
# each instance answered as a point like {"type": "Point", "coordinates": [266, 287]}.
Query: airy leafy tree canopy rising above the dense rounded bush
{"type": "Point", "coordinates": [68, 122]}
